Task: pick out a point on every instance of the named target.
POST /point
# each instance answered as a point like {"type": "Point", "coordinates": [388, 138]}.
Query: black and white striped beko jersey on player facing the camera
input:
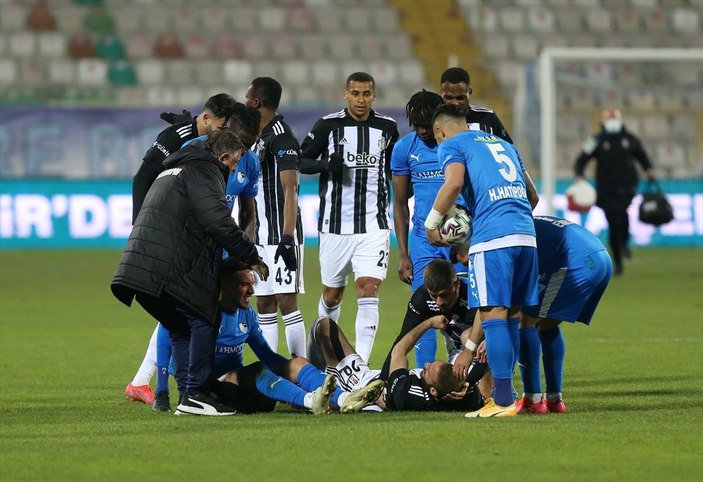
{"type": "Point", "coordinates": [357, 200]}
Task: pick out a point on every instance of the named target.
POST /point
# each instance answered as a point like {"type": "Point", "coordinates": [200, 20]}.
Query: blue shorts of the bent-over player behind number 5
{"type": "Point", "coordinates": [573, 292]}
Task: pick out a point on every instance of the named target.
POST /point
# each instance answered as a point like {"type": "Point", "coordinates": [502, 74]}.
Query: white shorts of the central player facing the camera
{"type": "Point", "coordinates": [363, 254]}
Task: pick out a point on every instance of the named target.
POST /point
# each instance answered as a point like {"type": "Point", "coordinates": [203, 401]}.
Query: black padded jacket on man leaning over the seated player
{"type": "Point", "coordinates": [175, 246]}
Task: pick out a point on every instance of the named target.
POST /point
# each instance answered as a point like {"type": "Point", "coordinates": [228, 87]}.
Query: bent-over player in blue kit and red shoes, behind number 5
{"type": "Point", "coordinates": [574, 271]}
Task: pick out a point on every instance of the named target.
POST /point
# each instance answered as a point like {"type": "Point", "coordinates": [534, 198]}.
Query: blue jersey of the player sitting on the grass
{"type": "Point", "coordinates": [236, 329]}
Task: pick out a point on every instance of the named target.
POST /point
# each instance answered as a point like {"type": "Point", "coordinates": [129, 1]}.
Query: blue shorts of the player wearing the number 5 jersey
{"type": "Point", "coordinates": [504, 277]}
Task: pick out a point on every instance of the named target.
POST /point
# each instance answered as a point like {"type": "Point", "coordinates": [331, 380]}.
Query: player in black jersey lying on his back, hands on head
{"type": "Point", "coordinates": [434, 388]}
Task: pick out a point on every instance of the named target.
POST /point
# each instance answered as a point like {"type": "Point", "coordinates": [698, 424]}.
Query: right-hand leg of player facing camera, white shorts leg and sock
{"type": "Point", "coordinates": [370, 266]}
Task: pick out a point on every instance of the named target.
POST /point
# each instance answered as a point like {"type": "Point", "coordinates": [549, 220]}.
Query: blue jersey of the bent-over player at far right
{"type": "Point", "coordinates": [562, 244]}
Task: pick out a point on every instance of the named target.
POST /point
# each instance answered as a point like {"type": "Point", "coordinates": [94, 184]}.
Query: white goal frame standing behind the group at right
{"type": "Point", "coordinates": [548, 86]}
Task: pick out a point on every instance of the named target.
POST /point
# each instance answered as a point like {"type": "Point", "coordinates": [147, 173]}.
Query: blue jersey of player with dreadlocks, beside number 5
{"type": "Point", "coordinates": [412, 157]}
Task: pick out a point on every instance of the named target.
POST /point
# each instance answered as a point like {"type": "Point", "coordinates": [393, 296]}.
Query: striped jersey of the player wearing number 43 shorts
{"type": "Point", "coordinates": [278, 150]}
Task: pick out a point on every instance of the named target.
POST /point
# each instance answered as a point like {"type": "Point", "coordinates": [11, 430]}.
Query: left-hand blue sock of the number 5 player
{"type": "Point", "coordinates": [499, 348]}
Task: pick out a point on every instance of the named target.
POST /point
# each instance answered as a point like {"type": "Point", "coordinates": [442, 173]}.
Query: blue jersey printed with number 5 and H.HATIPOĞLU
{"type": "Point", "coordinates": [494, 190]}
